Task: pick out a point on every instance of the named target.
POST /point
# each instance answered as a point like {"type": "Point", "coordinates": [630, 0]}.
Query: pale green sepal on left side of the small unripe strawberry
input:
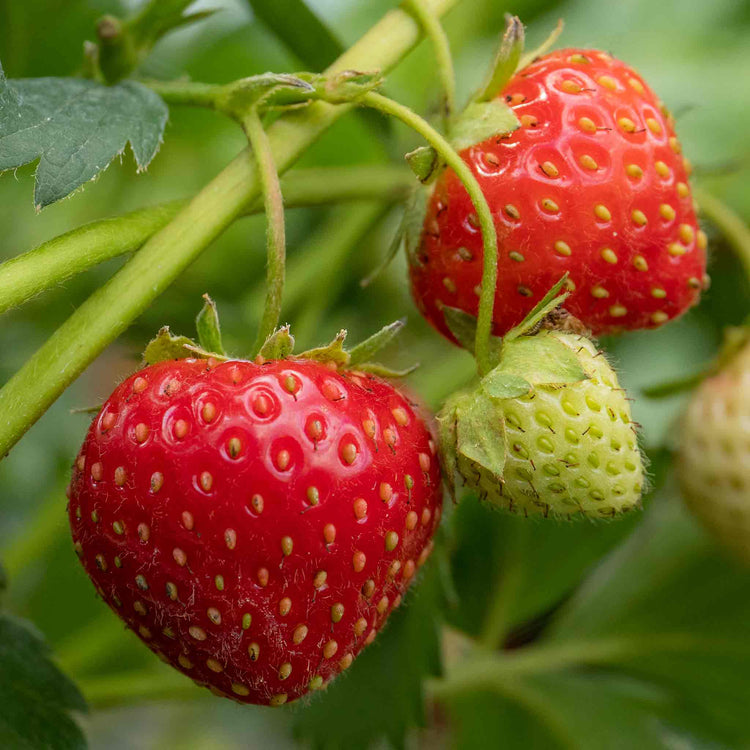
{"type": "Point", "coordinates": [480, 434]}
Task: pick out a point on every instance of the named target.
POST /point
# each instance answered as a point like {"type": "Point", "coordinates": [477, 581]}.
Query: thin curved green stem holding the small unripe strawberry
{"type": "Point", "coordinates": [489, 236]}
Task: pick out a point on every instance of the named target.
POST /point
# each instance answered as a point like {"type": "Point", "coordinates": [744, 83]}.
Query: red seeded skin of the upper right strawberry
{"type": "Point", "coordinates": [509, 172]}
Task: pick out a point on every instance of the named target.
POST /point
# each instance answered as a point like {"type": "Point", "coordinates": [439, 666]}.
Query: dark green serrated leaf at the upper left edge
{"type": "Point", "coordinates": [75, 127]}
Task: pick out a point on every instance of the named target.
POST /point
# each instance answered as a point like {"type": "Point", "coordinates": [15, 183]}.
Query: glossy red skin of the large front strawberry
{"type": "Point", "coordinates": [225, 534]}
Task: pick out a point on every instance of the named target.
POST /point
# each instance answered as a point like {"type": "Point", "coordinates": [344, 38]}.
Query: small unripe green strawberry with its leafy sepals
{"type": "Point", "coordinates": [547, 432]}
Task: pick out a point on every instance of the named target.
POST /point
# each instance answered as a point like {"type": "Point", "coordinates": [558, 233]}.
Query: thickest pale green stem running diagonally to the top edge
{"type": "Point", "coordinates": [111, 309]}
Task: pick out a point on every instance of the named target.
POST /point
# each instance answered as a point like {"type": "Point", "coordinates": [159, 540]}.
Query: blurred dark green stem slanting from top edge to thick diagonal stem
{"type": "Point", "coordinates": [300, 30]}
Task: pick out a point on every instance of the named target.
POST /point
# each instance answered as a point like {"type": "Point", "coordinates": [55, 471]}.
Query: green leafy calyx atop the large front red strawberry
{"type": "Point", "coordinates": [279, 345]}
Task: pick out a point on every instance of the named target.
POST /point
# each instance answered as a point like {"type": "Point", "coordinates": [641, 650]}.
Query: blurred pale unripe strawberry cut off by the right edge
{"type": "Point", "coordinates": [714, 457]}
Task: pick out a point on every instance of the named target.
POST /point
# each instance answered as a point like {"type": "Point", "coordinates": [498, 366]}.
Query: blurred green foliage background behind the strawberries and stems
{"type": "Point", "coordinates": [642, 579]}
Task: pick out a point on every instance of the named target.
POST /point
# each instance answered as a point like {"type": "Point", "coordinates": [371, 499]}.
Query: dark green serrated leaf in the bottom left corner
{"type": "Point", "coordinates": [36, 698]}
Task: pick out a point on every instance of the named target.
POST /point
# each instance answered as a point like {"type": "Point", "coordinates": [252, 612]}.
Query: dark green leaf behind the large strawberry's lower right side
{"type": "Point", "coordinates": [380, 695]}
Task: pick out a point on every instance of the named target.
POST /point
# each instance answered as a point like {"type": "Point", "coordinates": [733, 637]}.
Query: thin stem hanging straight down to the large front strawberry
{"type": "Point", "coordinates": [273, 204]}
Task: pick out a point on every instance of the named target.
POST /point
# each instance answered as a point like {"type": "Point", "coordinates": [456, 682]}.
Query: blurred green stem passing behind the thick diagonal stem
{"type": "Point", "coordinates": [61, 258]}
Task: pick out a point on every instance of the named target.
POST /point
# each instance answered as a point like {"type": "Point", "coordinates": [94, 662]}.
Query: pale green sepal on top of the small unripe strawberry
{"type": "Point", "coordinates": [541, 359]}
